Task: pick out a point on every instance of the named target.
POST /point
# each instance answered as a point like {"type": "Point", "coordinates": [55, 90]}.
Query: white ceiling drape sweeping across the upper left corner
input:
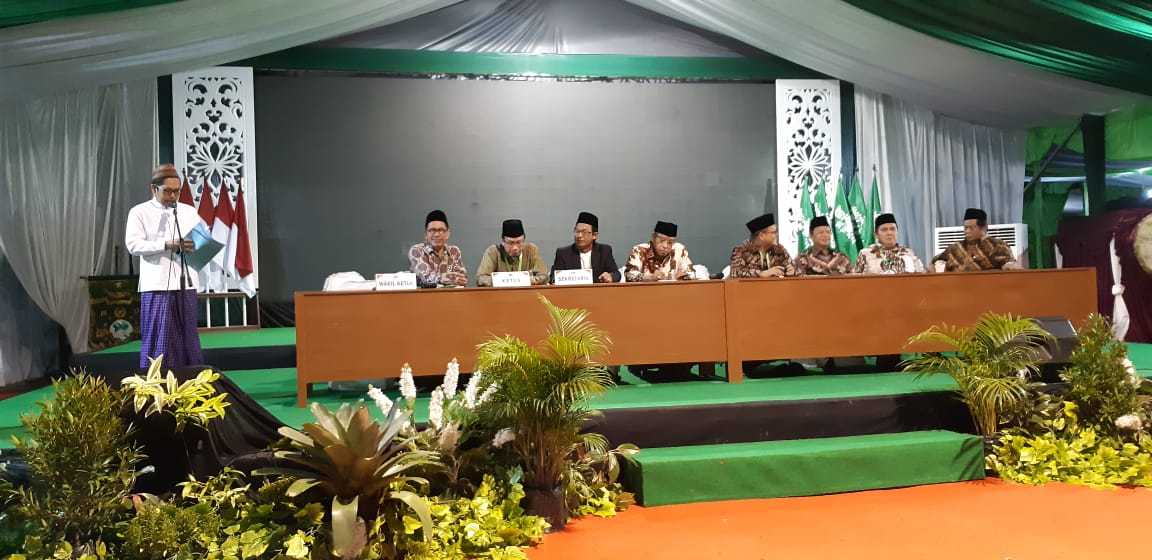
{"type": "Point", "coordinates": [145, 43]}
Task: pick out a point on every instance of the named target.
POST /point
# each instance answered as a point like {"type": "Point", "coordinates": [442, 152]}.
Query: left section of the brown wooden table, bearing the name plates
{"type": "Point", "coordinates": [344, 336]}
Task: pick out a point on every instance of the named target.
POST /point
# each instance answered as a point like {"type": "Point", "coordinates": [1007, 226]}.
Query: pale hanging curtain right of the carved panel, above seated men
{"type": "Point", "coordinates": [929, 169]}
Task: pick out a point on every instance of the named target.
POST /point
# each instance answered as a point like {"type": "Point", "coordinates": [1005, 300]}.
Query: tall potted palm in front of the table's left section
{"type": "Point", "coordinates": [543, 402]}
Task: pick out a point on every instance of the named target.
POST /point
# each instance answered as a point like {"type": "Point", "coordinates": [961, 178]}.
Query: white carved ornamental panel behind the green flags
{"type": "Point", "coordinates": [808, 150]}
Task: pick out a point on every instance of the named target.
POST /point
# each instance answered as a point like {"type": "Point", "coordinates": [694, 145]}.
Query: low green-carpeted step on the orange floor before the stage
{"type": "Point", "coordinates": [809, 467]}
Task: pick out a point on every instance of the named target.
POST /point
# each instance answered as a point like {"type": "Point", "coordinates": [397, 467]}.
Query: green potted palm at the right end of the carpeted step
{"type": "Point", "coordinates": [992, 364]}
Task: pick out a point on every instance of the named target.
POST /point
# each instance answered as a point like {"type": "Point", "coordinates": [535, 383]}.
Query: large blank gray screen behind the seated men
{"type": "Point", "coordinates": [350, 167]}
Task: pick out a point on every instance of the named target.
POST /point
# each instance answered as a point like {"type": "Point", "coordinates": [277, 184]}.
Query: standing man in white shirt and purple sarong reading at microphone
{"type": "Point", "coordinates": [156, 233]}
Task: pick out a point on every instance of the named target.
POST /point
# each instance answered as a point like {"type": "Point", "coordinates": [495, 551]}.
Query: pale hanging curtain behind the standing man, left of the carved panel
{"type": "Point", "coordinates": [70, 168]}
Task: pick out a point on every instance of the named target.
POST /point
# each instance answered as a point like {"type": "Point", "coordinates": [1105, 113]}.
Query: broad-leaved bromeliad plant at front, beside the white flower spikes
{"type": "Point", "coordinates": [363, 467]}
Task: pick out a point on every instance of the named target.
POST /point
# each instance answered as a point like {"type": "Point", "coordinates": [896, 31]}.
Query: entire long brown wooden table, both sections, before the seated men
{"type": "Point", "coordinates": [346, 336]}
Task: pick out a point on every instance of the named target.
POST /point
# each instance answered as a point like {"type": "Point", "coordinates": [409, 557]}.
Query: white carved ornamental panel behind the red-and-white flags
{"type": "Point", "coordinates": [215, 145]}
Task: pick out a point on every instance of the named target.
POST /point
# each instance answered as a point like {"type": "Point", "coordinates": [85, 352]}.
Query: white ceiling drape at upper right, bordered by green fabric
{"type": "Point", "coordinates": [847, 43]}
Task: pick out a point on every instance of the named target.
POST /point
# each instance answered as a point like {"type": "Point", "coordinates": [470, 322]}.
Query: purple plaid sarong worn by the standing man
{"type": "Point", "coordinates": [169, 323]}
